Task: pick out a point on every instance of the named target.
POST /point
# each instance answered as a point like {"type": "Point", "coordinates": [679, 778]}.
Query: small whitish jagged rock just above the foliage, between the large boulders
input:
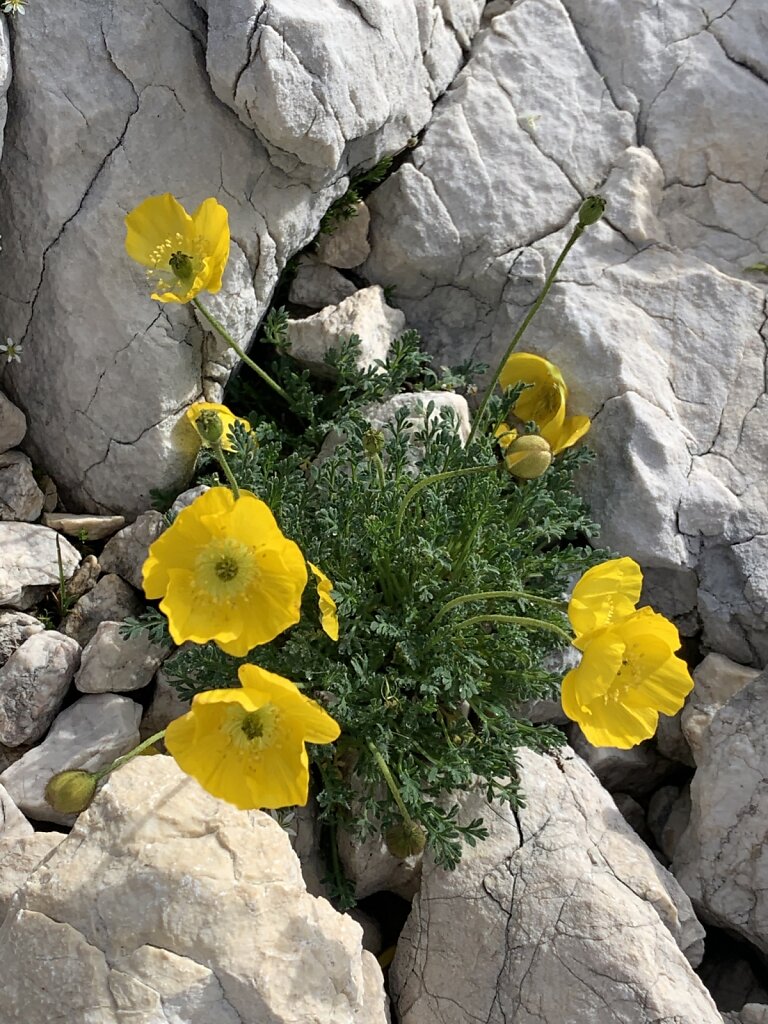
{"type": "Point", "coordinates": [365, 314]}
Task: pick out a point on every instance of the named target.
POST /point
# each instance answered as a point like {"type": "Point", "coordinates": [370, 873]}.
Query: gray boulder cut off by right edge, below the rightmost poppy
{"type": "Point", "coordinates": [720, 861]}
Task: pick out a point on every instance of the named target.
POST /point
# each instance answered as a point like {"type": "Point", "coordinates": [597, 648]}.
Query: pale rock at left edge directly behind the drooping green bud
{"type": "Point", "coordinates": [90, 735]}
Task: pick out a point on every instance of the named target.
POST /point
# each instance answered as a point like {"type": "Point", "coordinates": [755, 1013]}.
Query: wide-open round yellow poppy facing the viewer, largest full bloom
{"type": "Point", "coordinates": [227, 574]}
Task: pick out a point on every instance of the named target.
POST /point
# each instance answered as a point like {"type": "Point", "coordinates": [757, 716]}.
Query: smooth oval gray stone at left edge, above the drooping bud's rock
{"type": "Point", "coordinates": [33, 684]}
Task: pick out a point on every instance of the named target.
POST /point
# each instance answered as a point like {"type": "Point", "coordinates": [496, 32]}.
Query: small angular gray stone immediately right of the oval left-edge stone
{"type": "Point", "coordinates": [113, 665]}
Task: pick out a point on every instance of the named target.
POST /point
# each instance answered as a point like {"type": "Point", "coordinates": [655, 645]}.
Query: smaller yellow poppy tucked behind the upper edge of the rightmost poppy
{"type": "Point", "coordinates": [605, 595]}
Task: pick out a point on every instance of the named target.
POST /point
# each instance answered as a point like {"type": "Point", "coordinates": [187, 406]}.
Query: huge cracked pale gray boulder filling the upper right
{"type": "Point", "coordinates": [660, 333]}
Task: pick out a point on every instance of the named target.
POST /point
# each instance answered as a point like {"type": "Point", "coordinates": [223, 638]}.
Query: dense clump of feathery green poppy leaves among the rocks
{"type": "Point", "coordinates": [439, 701]}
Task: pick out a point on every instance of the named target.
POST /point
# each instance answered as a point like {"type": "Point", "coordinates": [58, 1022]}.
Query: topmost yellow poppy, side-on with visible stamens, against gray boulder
{"type": "Point", "coordinates": [185, 254]}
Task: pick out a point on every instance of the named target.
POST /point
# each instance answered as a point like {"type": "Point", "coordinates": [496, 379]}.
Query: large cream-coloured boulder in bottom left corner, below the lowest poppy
{"type": "Point", "coordinates": [148, 931]}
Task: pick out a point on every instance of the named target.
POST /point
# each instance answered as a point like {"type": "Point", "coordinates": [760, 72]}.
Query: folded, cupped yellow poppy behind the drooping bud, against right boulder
{"type": "Point", "coordinates": [545, 401]}
